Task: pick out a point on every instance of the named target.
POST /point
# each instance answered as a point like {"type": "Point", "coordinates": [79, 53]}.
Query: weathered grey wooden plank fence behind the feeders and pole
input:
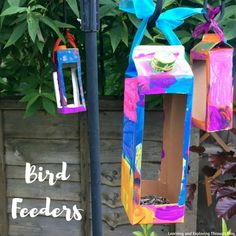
{"type": "Point", "coordinates": [48, 141]}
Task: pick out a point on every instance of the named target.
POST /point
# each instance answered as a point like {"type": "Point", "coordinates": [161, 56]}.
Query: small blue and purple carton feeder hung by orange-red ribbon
{"type": "Point", "coordinates": [68, 58]}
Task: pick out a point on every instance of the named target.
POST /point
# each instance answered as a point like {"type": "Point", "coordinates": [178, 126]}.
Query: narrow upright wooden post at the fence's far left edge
{"type": "Point", "coordinates": [3, 191]}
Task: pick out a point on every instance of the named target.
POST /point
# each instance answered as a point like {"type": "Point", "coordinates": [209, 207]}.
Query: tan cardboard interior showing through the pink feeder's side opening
{"type": "Point", "coordinates": [200, 90]}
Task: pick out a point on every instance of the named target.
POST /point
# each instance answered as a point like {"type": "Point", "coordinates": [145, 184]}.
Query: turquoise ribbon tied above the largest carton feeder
{"type": "Point", "coordinates": [166, 23]}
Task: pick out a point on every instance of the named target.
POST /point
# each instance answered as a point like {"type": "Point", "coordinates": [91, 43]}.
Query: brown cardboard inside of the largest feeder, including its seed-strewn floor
{"type": "Point", "coordinates": [165, 189]}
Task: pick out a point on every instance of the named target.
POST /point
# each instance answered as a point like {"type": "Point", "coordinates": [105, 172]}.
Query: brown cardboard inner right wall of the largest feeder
{"type": "Point", "coordinates": [172, 164]}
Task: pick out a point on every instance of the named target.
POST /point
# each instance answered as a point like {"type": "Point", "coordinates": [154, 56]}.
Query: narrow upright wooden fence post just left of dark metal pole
{"type": "Point", "coordinates": [84, 173]}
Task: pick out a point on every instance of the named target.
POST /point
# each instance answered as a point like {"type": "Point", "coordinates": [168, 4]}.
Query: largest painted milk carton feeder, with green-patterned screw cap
{"type": "Point", "coordinates": [160, 70]}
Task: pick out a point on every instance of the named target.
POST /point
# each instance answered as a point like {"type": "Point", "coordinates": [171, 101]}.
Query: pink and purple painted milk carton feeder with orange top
{"type": "Point", "coordinates": [212, 62]}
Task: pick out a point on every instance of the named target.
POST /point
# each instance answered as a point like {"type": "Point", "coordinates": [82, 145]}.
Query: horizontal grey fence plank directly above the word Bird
{"type": "Point", "coordinates": [20, 151]}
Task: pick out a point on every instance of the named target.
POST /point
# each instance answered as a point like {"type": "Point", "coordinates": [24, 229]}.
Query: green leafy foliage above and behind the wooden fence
{"type": "Point", "coordinates": [30, 28]}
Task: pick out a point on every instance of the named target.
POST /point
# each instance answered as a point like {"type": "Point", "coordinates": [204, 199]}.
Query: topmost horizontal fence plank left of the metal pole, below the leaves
{"type": "Point", "coordinates": [41, 126]}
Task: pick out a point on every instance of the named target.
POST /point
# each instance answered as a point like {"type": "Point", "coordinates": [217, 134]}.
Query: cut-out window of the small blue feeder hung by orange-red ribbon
{"type": "Point", "coordinates": [72, 93]}
